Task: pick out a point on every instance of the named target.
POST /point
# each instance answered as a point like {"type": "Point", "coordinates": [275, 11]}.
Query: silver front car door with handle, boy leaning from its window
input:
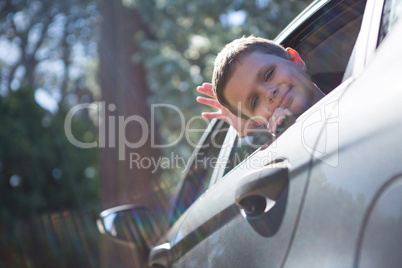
{"type": "Point", "coordinates": [249, 217]}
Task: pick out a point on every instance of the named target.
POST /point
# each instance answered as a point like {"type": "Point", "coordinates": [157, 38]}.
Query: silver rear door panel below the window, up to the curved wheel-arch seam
{"type": "Point", "coordinates": [339, 197]}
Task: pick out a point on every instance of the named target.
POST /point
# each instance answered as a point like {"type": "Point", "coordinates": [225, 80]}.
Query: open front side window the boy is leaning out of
{"type": "Point", "coordinates": [325, 42]}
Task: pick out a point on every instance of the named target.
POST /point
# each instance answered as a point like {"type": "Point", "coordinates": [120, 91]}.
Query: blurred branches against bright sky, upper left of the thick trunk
{"type": "Point", "coordinates": [45, 38]}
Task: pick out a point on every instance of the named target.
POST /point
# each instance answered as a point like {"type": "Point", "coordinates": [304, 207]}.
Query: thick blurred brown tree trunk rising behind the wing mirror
{"type": "Point", "coordinates": [124, 93]}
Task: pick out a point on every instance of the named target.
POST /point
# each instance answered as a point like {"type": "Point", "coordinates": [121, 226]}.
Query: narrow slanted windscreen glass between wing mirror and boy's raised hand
{"type": "Point", "coordinates": [202, 166]}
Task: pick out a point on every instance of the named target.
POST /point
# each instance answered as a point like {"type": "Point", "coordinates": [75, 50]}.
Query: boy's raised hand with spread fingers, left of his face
{"type": "Point", "coordinates": [242, 126]}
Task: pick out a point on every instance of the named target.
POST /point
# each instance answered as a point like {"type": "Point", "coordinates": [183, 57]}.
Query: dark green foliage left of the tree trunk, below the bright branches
{"type": "Point", "coordinates": [40, 169]}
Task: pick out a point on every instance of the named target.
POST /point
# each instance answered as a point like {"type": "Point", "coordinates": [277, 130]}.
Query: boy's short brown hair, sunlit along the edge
{"type": "Point", "coordinates": [231, 54]}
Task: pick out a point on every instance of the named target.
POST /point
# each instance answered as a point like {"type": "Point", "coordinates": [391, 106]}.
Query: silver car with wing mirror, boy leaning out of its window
{"type": "Point", "coordinates": [327, 192]}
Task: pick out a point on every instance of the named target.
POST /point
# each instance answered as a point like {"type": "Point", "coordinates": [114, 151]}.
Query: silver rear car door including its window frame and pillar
{"type": "Point", "coordinates": [352, 209]}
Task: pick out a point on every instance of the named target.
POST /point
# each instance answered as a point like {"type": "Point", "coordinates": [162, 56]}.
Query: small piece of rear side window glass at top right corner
{"type": "Point", "coordinates": [390, 14]}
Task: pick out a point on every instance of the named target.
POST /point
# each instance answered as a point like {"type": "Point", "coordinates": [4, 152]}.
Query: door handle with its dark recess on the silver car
{"type": "Point", "coordinates": [258, 191]}
